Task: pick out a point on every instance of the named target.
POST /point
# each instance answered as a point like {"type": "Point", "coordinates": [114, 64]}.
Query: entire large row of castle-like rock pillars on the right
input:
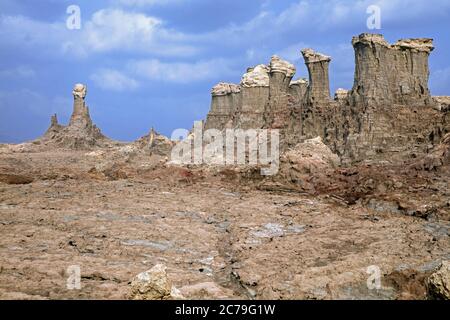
{"type": "Point", "coordinates": [389, 113]}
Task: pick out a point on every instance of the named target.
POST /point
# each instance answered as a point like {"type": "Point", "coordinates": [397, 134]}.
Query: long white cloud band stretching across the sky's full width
{"type": "Point", "coordinates": [118, 30]}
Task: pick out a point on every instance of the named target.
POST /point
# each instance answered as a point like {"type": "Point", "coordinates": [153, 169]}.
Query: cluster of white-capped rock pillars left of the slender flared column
{"type": "Point", "coordinates": [266, 98]}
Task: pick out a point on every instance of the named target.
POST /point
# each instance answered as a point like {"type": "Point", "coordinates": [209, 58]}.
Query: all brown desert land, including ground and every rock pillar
{"type": "Point", "coordinates": [359, 208]}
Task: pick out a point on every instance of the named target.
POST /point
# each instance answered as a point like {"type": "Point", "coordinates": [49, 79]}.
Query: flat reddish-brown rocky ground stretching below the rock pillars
{"type": "Point", "coordinates": [309, 233]}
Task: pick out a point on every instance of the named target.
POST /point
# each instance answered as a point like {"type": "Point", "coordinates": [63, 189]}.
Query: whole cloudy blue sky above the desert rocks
{"type": "Point", "coordinates": [152, 63]}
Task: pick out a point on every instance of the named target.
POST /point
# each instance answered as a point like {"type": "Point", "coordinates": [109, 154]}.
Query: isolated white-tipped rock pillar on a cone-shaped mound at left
{"type": "Point", "coordinates": [81, 133]}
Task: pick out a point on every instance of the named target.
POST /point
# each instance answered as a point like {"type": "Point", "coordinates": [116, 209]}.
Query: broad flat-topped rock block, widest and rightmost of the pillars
{"type": "Point", "coordinates": [391, 74]}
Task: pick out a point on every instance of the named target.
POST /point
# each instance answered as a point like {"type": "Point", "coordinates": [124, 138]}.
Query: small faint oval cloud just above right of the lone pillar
{"type": "Point", "coordinates": [114, 80]}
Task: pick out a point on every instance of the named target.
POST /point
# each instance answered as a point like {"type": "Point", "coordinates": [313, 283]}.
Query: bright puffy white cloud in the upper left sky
{"type": "Point", "coordinates": [108, 30]}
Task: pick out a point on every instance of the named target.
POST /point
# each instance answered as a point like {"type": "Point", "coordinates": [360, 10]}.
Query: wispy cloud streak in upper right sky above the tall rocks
{"type": "Point", "coordinates": [315, 17]}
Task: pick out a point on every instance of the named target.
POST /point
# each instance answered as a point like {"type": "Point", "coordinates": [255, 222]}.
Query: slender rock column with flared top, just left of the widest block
{"type": "Point", "coordinates": [319, 83]}
